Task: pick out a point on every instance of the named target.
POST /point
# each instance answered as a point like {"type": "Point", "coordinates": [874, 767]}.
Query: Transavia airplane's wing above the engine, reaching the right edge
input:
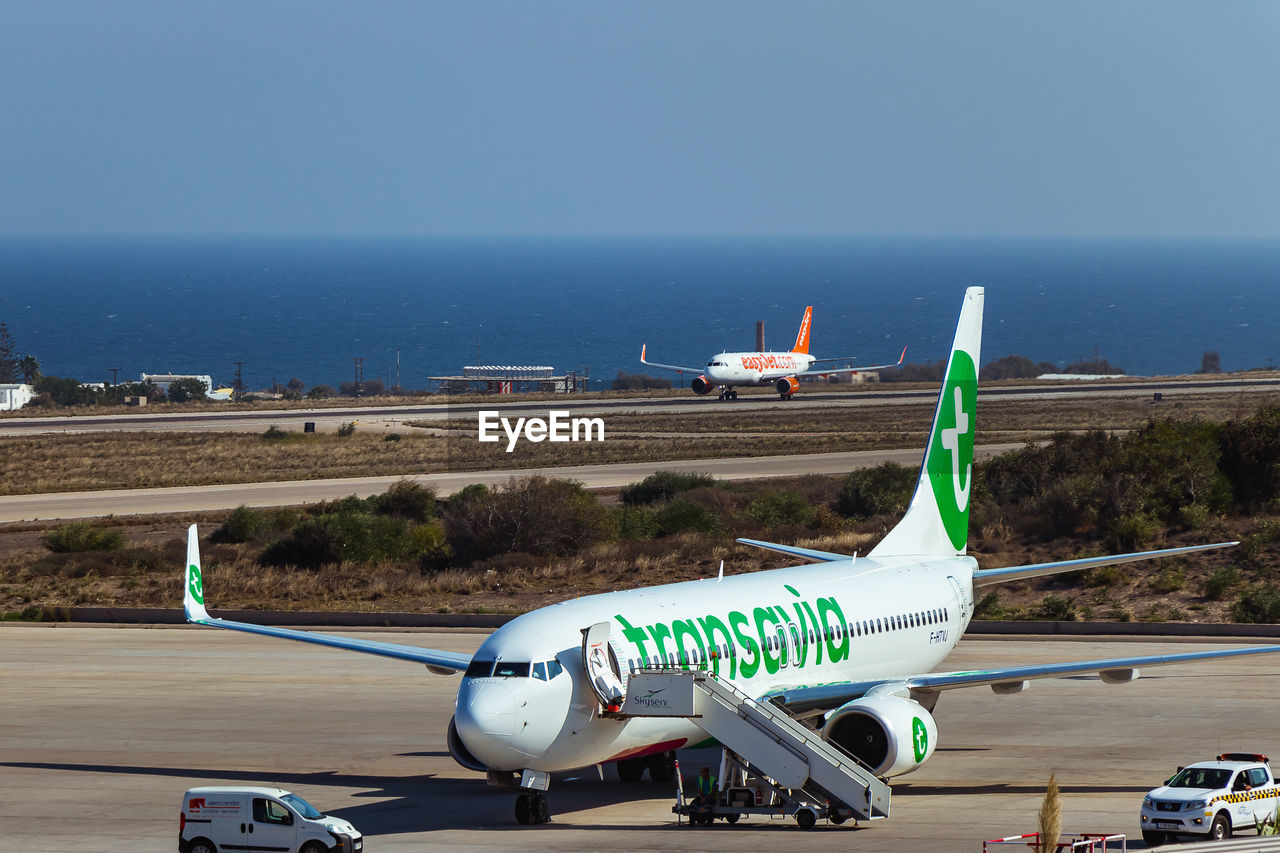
{"type": "Point", "coordinates": [1011, 679]}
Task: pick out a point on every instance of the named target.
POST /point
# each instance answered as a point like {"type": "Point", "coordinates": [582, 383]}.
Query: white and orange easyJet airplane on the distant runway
{"type": "Point", "coordinates": [779, 370]}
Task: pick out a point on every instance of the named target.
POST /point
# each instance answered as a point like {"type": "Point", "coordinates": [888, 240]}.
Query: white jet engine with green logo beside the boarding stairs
{"type": "Point", "coordinates": [890, 735]}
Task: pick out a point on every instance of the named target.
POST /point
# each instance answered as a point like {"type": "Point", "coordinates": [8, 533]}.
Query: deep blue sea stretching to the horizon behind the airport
{"type": "Point", "coordinates": [308, 307]}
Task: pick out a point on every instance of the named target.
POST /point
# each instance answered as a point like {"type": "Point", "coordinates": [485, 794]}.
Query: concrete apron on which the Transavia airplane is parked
{"type": "Point", "coordinates": [102, 729]}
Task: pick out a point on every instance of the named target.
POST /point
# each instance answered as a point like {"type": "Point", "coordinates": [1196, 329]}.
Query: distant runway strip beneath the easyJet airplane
{"type": "Point", "coordinates": [394, 417]}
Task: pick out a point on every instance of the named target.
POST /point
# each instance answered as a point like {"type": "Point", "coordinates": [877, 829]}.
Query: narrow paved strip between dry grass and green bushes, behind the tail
{"type": "Point", "coordinates": [198, 499]}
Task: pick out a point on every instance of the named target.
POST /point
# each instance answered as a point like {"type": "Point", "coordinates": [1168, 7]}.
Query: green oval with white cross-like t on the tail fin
{"type": "Point", "coordinates": [952, 453]}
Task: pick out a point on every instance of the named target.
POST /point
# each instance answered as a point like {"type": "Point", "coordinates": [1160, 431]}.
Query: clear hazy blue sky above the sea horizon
{"type": "Point", "coordinates": [1145, 118]}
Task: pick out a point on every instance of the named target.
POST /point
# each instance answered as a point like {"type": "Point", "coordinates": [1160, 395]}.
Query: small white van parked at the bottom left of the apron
{"type": "Point", "coordinates": [260, 819]}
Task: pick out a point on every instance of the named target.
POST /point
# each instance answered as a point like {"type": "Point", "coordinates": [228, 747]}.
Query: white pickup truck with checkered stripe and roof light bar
{"type": "Point", "coordinates": [1212, 800]}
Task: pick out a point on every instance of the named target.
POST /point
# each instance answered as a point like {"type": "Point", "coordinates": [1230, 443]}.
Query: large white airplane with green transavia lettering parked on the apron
{"type": "Point", "coordinates": [845, 644]}
